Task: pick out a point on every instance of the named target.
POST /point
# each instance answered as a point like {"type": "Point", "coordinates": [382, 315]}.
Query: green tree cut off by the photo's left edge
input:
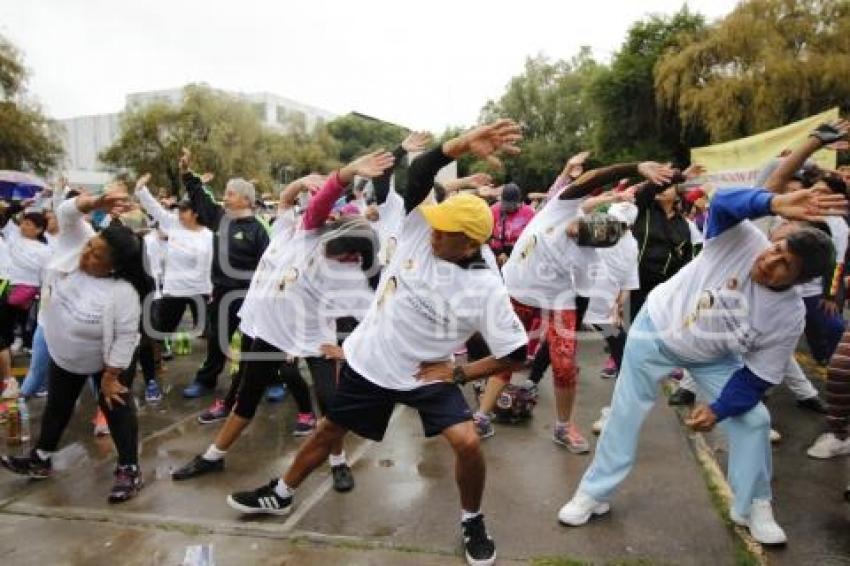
{"type": "Point", "coordinates": [28, 139]}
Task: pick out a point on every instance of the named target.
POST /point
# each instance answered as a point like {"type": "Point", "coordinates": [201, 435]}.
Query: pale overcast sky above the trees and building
{"type": "Point", "coordinates": [425, 64]}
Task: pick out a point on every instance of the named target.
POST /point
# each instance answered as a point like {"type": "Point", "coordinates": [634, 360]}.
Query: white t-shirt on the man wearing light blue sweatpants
{"type": "Point", "coordinates": [711, 309]}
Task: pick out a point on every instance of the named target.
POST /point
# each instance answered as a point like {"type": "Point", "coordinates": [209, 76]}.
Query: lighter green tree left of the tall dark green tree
{"type": "Point", "coordinates": [549, 100]}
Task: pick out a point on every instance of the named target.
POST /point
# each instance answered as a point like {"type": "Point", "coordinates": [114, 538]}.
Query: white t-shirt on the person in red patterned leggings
{"type": "Point", "coordinates": [542, 269]}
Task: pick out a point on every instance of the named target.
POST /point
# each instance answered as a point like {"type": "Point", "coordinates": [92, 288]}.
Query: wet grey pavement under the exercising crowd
{"type": "Point", "coordinates": [404, 509]}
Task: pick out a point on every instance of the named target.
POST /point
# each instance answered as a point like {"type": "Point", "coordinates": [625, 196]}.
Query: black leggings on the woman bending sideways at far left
{"type": "Point", "coordinates": [63, 388]}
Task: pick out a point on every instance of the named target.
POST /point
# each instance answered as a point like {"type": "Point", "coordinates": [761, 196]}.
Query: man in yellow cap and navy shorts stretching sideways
{"type": "Point", "coordinates": [435, 293]}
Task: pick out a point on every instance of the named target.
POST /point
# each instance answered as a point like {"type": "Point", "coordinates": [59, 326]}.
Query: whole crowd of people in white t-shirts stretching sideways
{"type": "Point", "coordinates": [381, 293]}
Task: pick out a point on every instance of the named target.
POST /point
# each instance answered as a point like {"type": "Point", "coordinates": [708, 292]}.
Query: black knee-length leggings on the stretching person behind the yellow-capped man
{"type": "Point", "coordinates": [256, 375]}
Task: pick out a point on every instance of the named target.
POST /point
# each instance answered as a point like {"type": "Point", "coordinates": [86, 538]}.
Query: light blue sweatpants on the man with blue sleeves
{"type": "Point", "coordinates": [645, 363]}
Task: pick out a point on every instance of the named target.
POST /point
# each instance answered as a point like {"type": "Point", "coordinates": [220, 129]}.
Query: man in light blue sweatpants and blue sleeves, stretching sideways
{"type": "Point", "coordinates": [732, 317]}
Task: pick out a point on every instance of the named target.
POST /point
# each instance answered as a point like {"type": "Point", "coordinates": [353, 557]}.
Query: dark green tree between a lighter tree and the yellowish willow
{"type": "Point", "coordinates": [628, 124]}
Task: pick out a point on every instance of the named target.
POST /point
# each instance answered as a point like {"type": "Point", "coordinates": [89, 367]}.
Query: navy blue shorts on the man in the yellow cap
{"type": "Point", "coordinates": [365, 408]}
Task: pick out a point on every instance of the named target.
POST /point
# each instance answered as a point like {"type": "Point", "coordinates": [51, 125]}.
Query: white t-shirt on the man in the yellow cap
{"type": "Point", "coordinates": [425, 308]}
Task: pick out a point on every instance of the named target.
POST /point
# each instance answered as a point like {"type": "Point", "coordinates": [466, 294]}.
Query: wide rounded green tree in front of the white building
{"type": "Point", "coordinates": [225, 135]}
